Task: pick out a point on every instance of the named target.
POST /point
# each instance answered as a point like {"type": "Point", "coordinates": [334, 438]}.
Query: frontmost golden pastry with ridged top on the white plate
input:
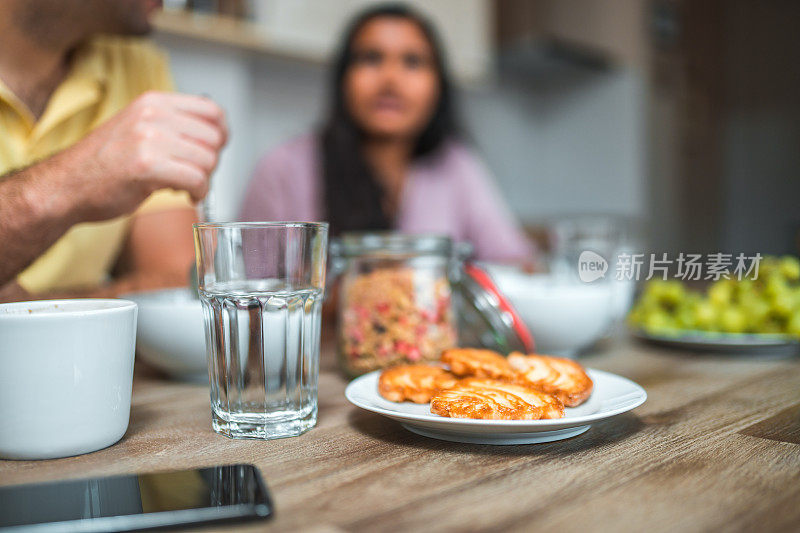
{"type": "Point", "coordinates": [495, 400]}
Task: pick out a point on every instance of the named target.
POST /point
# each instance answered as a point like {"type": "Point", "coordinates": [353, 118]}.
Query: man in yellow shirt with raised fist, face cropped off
{"type": "Point", "coordinates": [98, 171]}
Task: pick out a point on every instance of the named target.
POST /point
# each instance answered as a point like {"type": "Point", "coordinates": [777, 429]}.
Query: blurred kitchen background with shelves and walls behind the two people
{"type": "Point", "coordinates": [679, 118]}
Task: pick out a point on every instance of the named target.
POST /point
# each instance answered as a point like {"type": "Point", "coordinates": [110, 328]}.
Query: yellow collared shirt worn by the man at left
{"type": "Point", "coordinates": [106, 75]}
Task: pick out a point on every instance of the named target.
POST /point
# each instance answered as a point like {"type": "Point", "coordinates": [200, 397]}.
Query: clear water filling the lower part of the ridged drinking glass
{"type": "Point", "coordinates": [263, 350]}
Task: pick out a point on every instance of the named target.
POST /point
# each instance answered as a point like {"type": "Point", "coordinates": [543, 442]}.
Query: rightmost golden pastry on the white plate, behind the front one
{"type": "Point", "coordinates": [555, 375]}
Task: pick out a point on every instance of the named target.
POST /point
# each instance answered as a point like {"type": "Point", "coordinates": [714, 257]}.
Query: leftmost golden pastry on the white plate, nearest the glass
{"type": "Point", "coordinates": [416, 383]}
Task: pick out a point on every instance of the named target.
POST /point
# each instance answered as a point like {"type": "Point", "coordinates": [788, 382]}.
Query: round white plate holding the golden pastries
{"type": "Point", "coordinates": [612, 395]}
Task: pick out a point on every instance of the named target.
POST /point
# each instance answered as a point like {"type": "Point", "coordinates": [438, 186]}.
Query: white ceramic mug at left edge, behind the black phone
{"type": "Point", "coordinates": [66, 371]}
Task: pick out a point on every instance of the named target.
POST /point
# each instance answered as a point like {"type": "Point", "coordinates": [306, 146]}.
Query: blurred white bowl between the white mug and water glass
{"type": "Point", "coordinates": [171, 333]}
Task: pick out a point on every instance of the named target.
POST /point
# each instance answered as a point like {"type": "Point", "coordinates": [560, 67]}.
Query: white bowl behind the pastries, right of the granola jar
{"type": "Point", "coordinates": [564, 316]}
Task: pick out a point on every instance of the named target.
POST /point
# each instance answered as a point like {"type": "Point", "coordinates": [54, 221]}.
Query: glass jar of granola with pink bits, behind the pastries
{"type": "Point", "coordinates": [395, 300]}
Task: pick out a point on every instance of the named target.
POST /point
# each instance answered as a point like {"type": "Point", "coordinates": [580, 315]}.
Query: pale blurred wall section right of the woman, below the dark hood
{"type": "Point", "coordinates": [573, 147]}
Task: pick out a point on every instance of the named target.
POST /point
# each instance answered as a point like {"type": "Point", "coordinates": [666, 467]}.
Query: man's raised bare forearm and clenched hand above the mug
{"type": "Point", "coordinates": [159, 141]}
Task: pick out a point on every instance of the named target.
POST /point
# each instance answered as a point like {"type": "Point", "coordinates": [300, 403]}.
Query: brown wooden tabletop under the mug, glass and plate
{"type": "Point", "coordinates": [715, 447]}
